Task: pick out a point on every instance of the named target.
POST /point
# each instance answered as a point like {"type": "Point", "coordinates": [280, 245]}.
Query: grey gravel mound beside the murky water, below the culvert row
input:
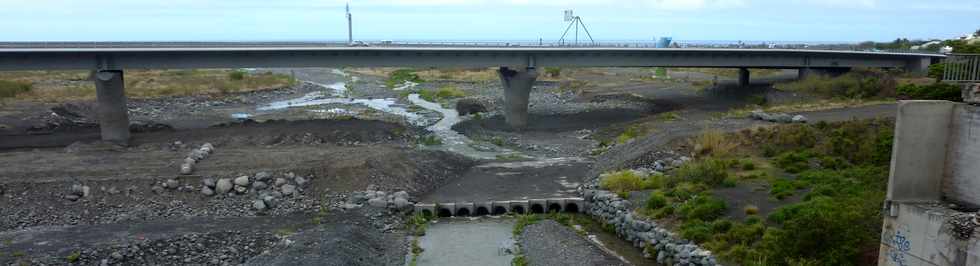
{"type": "Point", "coordinates": [550, 243]}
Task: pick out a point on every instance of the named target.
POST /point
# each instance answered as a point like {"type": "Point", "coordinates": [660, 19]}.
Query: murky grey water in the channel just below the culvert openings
{"type": "Point", "coordinates": [461, 241]}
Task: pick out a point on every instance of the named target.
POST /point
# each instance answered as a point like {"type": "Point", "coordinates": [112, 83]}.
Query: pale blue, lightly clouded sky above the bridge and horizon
{"type": "Point", "coordinates": [607, 20]}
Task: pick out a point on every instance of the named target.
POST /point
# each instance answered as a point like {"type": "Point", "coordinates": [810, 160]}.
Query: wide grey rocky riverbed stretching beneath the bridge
{"type": "Point", "coordinates": [312, 185]}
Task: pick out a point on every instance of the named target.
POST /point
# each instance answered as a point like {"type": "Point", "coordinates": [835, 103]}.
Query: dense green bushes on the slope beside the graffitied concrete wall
{"type": "Point", "coordinates": [843, 165]}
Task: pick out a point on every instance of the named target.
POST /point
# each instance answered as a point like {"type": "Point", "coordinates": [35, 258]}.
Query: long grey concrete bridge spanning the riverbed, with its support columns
{"type": "Point", "coordinates": [517, 64]}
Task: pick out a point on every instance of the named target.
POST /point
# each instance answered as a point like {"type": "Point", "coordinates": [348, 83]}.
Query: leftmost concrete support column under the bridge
{"type": "Point", "coordinates": [113, 114]}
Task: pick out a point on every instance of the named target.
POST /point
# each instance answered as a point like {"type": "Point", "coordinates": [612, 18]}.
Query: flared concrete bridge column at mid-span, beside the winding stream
{"type": "Point", "coordinates": [517, 90]}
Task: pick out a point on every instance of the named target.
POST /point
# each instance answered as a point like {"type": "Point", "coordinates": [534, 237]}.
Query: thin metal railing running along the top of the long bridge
{"type": "Point", "coordinates": [523, 44]}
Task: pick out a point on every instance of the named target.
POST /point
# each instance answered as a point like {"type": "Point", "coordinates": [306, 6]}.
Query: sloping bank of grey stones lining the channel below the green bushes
{"type": "Point", "coordinates": [658, 242]}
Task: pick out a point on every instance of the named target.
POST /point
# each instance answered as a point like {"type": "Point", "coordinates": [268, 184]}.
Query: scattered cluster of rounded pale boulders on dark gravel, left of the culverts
{"type": "Point", "coordinates": [267, 189]}
